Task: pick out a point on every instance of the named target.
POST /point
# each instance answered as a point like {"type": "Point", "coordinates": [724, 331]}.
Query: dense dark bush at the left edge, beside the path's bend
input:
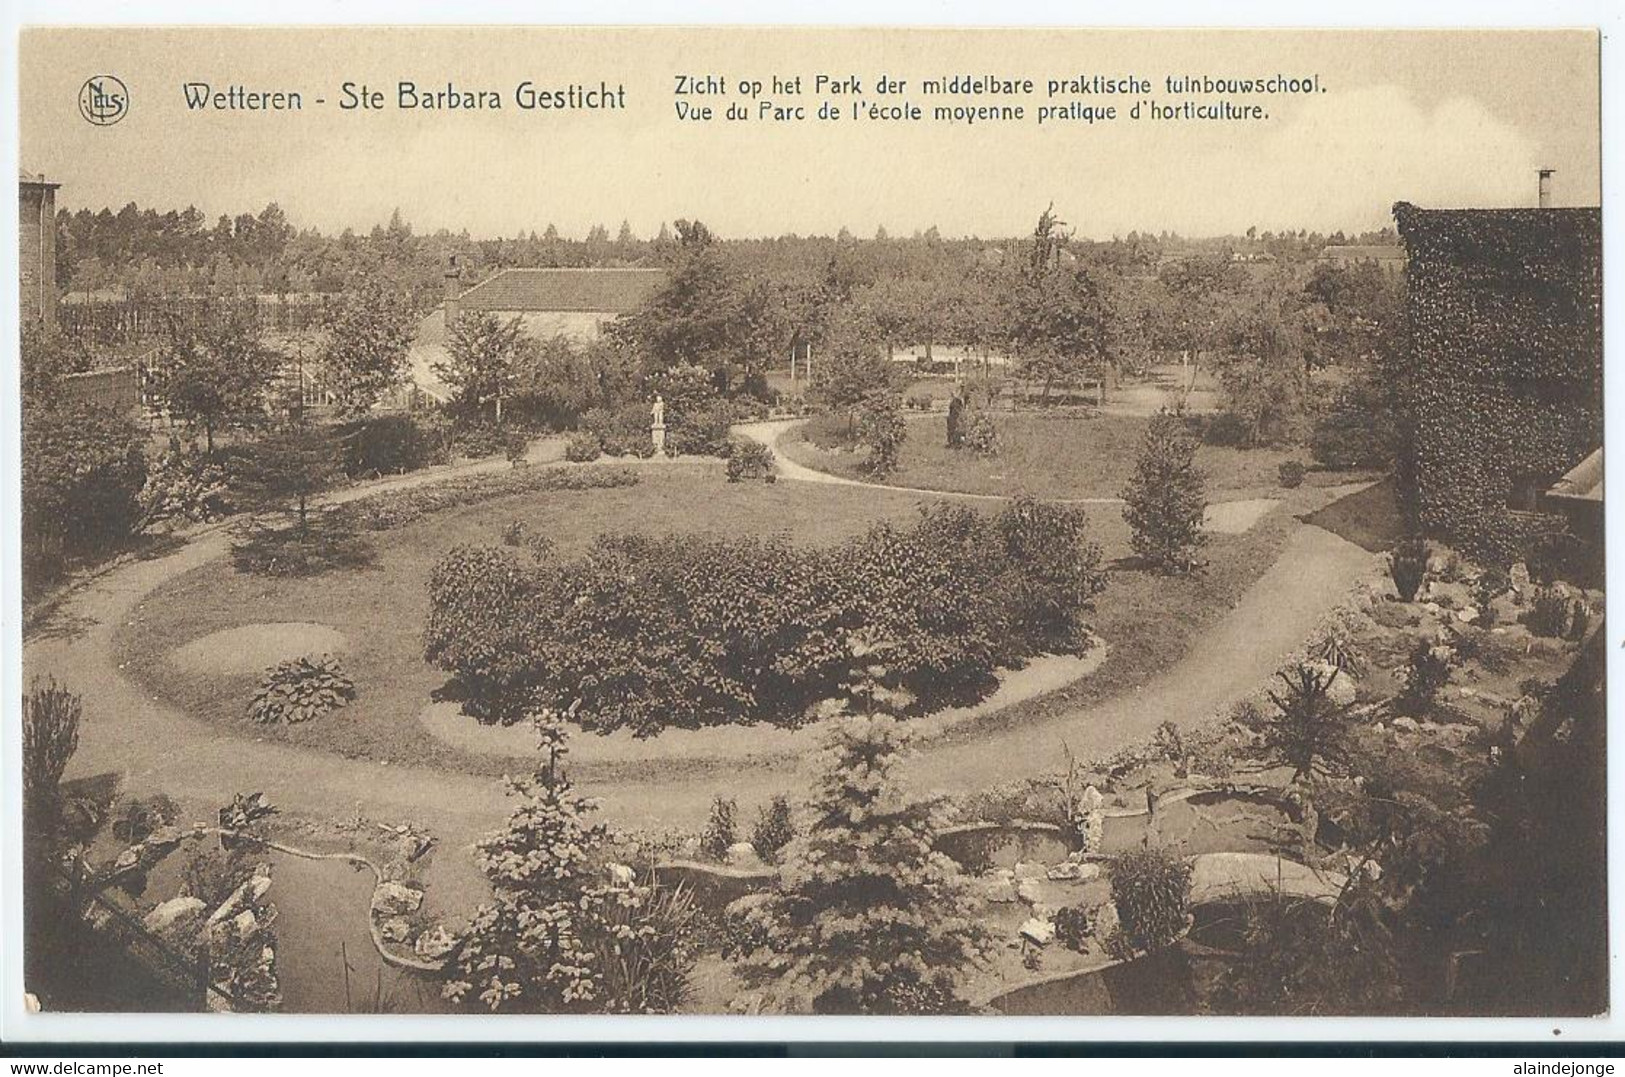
{"type": "Point", "coordinates": [84, 472]}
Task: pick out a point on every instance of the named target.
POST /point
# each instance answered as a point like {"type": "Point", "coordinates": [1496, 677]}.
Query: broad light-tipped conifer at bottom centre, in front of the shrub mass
{"type": "Point", "coordinates": [869, 917]}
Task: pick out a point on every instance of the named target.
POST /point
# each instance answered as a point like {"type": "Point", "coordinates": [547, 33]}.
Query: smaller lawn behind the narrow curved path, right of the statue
{"type": "Point", "coordinates": [1049, 456]}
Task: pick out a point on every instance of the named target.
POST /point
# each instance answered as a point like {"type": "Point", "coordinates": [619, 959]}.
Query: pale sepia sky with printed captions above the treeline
{"type": "Point", "coordinates": [1431, 118]}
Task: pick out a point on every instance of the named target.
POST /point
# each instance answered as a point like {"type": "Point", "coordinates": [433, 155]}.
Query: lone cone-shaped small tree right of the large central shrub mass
{"type": "Point", "coordinates": [1166, 498]}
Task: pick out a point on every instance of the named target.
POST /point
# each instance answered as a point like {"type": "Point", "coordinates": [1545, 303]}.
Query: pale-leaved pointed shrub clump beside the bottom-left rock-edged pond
{"type": "Point", "coordinates": [555, 938]}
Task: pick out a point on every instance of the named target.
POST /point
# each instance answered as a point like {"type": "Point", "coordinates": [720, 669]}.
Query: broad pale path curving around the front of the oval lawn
{"type": "Point", "coordinates": [154, 748]}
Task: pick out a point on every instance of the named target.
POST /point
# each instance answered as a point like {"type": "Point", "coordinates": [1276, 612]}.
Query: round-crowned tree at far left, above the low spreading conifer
{"type": "Point", "coordinates": [215, 373]}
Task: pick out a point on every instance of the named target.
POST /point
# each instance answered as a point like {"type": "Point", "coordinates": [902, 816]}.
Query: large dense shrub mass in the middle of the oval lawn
{"type": "Point", "coordinates": [678, 631]}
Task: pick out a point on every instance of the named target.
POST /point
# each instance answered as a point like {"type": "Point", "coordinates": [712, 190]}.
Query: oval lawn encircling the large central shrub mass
{"type": "Point", "coordinates": [1148, 621]}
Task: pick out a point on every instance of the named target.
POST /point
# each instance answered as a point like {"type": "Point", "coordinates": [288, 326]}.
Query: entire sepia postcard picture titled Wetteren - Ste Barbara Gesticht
{"type": "Point", "coordinates": [760, 522]}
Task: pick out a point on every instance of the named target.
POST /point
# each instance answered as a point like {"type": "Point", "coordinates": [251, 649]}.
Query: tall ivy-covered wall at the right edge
{"type": "Point", "coordinates": [1504, 384]}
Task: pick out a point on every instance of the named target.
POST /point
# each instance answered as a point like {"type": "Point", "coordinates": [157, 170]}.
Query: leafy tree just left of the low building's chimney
{"type": "Point", "coordinates": [370, 332]}
